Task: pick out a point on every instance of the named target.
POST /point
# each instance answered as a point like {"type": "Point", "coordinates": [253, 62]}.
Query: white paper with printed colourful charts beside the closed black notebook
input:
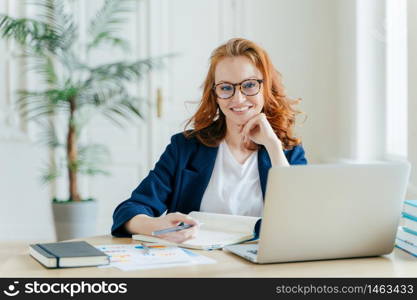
{"type": "Point", "coordinates": [136, 257]}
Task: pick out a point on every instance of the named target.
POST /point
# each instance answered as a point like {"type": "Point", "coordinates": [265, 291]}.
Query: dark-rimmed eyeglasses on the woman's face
{"type": "Point", "coordinates": [248, 87]}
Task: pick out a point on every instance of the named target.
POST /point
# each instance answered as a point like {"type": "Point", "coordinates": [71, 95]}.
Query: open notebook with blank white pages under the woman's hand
{"type": "Point", "coordinates": [217, 231]}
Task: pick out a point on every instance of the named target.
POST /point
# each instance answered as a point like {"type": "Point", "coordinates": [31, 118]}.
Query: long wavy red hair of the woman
{"type": "Point", "coordinates": [209, 122]}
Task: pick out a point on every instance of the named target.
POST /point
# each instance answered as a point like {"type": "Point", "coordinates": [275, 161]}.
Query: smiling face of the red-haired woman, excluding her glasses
{"type": "Point", "coordinates": [239, 108]}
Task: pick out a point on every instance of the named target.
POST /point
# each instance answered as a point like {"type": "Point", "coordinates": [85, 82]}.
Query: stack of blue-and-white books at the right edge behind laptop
{"type": "Point", "coordinates": [407, 234]}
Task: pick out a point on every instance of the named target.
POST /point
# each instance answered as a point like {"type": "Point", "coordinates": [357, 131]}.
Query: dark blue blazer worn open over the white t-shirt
{"type": "Point", "coordinates": [179, 179]}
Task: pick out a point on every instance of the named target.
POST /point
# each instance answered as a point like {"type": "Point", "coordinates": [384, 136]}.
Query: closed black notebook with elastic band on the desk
{"type": "Point", "coordinates": [68, 254]}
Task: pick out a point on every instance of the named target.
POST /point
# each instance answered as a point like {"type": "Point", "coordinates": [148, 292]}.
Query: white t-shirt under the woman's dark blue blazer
{"type": "Point", "coordinates": [234, 188]}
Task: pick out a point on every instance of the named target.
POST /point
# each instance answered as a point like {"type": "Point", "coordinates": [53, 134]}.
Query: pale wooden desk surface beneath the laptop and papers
{"type": "Point", "coordinates": [16, 262]}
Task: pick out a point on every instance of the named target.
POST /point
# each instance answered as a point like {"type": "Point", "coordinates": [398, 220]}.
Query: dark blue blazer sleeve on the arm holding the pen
{"type": "Point", "coordinates": [152, 196]}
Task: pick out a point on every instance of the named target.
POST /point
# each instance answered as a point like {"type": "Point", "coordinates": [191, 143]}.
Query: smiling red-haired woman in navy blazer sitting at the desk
{"type": "Point", "coordinates": [242, 127]}
